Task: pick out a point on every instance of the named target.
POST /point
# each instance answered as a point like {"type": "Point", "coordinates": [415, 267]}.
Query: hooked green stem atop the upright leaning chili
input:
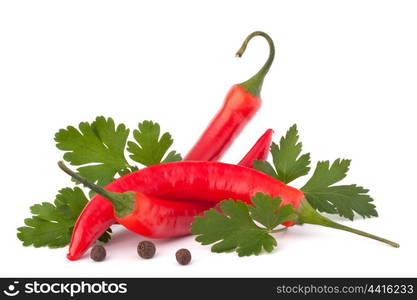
{"type": "Point", "coordinates": [254, 84]}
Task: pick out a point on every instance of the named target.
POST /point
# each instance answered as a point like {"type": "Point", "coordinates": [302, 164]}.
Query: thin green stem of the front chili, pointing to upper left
{"type": "Point", "coordinates": [123, 203]}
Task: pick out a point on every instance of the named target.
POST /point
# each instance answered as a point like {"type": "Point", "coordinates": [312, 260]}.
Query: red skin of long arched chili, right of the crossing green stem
{"type": "Point", "coordinates": [206, 181]}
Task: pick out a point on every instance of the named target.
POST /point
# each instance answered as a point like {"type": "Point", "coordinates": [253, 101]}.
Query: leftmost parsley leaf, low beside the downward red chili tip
{"type": "Point", "coordinates": [52, 224]}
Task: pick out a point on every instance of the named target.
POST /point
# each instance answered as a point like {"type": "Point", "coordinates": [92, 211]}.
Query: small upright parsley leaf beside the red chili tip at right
{"type": "Point", "coordinates": [288, 163]}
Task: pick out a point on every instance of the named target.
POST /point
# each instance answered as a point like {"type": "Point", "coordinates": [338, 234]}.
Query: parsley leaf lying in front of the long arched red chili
{"type": "Point", "coordinates": [235, 228]}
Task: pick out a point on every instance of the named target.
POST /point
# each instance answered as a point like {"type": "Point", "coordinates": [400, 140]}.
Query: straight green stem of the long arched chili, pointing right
{"type": "Point", "coordinates": [307, 214]}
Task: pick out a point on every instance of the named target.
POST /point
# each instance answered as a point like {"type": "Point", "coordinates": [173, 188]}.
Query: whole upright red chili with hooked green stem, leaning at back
{"type": "Point", "coordinates": [240, 105]}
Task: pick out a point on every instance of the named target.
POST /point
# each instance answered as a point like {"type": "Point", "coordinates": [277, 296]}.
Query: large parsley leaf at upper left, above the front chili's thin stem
{"type": "Point", "coordinates": [98, 147]}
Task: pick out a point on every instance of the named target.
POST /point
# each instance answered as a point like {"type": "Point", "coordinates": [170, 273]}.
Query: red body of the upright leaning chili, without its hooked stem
{"type": "Point", "coordinates": [238, 109]}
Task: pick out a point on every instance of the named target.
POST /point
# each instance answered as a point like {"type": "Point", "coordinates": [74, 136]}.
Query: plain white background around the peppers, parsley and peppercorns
{"type": "Point", "coordinates": [345, 72]}
